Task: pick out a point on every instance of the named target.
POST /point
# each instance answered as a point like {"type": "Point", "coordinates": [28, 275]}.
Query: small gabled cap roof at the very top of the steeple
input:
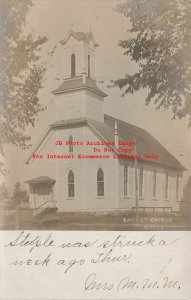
{"type": "Point", "coordinates": [86, 37]}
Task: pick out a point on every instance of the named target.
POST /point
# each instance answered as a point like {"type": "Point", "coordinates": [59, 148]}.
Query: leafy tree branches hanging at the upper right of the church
{"type": "Point", "coordinates": [159, 40]}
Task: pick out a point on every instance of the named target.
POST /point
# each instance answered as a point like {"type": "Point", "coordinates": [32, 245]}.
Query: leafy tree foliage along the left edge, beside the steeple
{"type": "Point", "coordinates": [21, 74]}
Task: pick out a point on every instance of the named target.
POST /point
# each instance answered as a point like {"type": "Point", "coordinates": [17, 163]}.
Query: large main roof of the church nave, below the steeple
{"type": "Point", "coordinates": [146, 143]}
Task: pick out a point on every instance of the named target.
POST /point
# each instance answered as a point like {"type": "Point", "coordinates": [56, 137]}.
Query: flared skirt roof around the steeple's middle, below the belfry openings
{"type": "Point", "coordinates": [76, 83]}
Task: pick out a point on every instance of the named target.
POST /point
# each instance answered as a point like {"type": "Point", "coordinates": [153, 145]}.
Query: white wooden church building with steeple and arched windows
{"type": "Point", "coordinates": [100, 185]}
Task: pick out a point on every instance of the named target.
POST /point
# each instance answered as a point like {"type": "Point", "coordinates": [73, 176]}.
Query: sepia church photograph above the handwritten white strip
{"type": "Point", "coordinates": [95, 115]}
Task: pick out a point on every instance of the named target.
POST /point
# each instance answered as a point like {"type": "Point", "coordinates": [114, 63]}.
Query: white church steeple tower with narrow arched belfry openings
{"type": "Point", "coordinates": [79, 96]}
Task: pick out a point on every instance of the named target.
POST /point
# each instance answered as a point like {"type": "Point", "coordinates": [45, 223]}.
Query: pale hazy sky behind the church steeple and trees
{"type": "Point", "coordinates": [54, 18]}
